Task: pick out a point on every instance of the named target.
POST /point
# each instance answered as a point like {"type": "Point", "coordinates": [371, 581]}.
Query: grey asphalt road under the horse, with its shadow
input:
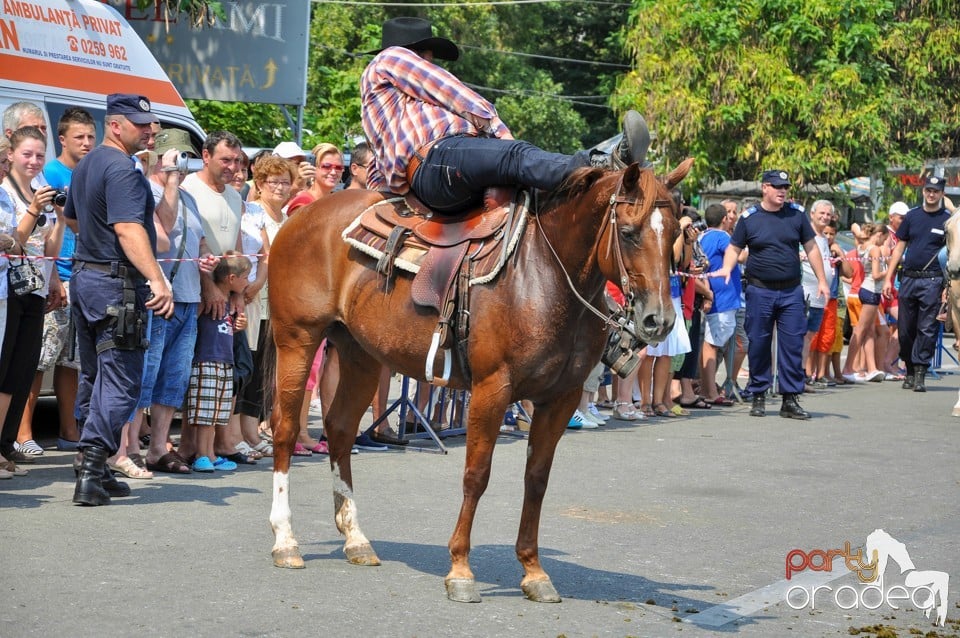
{"type": "Point", "coordinates": [659, 528]}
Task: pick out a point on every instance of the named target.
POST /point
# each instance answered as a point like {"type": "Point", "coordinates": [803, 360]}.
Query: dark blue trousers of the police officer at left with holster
{"type": "Point", "coordinates": [109, 381]}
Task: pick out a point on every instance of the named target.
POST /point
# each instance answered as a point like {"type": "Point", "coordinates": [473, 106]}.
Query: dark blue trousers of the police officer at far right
{"type": "Point", "coordinates": [917, 320]}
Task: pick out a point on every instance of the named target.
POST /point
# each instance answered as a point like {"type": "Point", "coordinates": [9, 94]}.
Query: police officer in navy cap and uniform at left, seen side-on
{"type": "Point", "coordinates": [116, 277]}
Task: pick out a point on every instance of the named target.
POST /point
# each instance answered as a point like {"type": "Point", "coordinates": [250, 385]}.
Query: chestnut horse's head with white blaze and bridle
{"type": "Point", "coordinates": [636, 249]}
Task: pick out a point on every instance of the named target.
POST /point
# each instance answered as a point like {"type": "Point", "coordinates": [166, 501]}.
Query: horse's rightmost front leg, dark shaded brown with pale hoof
{"type": "Point", "coordinates": [549, 424]}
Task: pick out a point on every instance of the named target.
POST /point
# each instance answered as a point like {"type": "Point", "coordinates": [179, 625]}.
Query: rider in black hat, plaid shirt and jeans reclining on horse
{"type": "Point", "coordinates": [433, 135]}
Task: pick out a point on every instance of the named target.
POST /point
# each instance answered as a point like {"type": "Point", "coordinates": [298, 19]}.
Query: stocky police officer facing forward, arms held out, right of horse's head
{"type": "Point", "coordinates": [772, 231]}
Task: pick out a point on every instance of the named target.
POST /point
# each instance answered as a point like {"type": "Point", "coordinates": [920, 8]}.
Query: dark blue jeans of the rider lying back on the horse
{"type": "Point", "coordinates": [458, 169]}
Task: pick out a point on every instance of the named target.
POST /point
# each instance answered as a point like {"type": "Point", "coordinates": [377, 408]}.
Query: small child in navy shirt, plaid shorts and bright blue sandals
{"type": "Point", "coordinates": [210, 397]}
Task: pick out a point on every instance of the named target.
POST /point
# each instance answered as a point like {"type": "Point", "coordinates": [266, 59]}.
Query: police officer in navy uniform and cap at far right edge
{"type": "Point", "coordinates": [921, 281]}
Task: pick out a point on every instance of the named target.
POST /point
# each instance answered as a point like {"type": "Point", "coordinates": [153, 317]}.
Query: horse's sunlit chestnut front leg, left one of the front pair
{"type": "Point", "coordinates": [487, 407]}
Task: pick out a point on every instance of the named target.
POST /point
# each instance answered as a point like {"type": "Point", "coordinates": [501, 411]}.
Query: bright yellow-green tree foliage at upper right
{"type": "Point", "coordinates": [827, 89]}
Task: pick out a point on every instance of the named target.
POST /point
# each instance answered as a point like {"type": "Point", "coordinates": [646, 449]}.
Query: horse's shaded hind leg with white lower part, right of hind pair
{"type": "Point", "coordinates": [359, 375]}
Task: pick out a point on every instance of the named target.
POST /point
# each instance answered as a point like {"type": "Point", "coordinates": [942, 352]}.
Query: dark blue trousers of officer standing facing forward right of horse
{"type": "Point", "coordinates": [784, 310]}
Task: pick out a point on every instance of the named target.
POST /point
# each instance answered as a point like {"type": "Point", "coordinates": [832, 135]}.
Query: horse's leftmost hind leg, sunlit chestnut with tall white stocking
{"type": "Point", "coordinates": [293, 367]}
